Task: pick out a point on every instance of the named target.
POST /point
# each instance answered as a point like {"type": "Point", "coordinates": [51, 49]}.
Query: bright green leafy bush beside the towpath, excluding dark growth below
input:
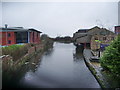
{"type": "Point", "coordinates": [111, 57]}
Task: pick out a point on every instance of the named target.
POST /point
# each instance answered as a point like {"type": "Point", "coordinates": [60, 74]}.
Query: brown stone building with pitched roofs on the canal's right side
{"type": "Point", "coordinates": [95, 37]}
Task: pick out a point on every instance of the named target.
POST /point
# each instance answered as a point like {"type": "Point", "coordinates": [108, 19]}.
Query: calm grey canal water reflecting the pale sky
{"type": "Point", "coordinates": [62, 66]}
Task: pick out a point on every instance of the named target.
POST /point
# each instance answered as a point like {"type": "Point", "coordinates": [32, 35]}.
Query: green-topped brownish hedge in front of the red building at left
{"type": "Point", "coordinates": [16, 51]}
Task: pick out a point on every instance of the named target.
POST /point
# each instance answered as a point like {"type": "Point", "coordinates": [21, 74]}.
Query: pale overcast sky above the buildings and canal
{"type": "Point", "coordinates": [60, 18]}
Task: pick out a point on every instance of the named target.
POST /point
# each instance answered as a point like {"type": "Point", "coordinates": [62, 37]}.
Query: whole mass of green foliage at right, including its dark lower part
{"type": "Point", "coordinates": [110, 61]}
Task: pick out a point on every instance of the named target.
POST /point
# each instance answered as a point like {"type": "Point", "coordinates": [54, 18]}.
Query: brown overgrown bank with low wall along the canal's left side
{"type": "Point", "coordinates": [11, 68]}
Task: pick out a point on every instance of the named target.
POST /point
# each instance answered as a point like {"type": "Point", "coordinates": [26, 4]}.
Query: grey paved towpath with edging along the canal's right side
{"type": "Point", "coordinates": [95, 68]}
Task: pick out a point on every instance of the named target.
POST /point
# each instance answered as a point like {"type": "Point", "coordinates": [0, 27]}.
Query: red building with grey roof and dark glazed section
{"type": "Point", "coordinates": [17, 35]}
